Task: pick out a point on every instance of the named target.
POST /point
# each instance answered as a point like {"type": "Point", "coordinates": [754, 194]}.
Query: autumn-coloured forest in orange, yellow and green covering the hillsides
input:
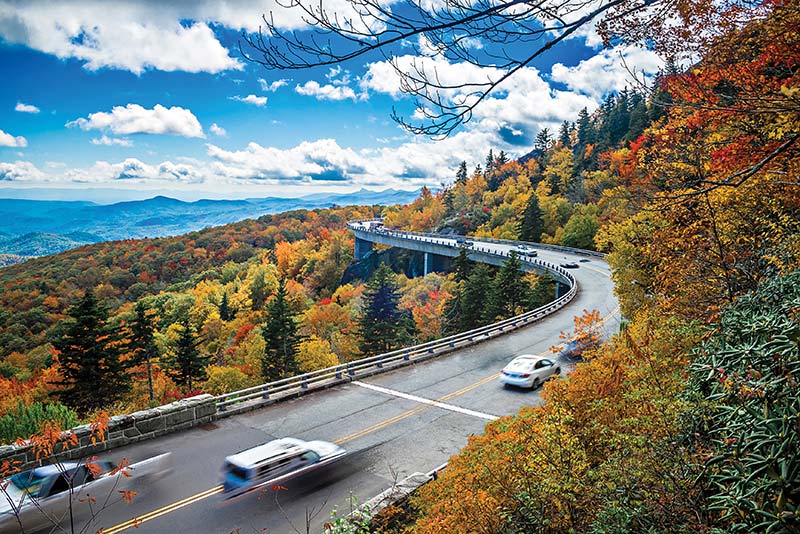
{"type": "Point", "coordinates": [687, 419]}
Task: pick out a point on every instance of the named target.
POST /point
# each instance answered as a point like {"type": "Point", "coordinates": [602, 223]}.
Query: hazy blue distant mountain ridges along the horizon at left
{"type": "Point", "coordinates": [41, 227]}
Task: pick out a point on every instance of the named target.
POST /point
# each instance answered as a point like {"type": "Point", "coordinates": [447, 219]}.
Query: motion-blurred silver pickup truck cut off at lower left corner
{"type": "Point", "coordinates": [40, 498]}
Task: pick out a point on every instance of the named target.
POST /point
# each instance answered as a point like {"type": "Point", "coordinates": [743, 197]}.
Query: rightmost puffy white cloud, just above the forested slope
{"type": "Point", "coordinates": [608, 71]}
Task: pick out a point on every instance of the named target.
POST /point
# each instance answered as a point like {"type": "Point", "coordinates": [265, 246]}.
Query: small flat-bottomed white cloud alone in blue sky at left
{"type": "Point", "coordinates": [133, 119]}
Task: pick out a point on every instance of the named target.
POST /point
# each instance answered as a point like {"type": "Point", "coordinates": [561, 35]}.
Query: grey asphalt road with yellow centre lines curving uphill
{"type": "Point", "coordinates": [389, 419]}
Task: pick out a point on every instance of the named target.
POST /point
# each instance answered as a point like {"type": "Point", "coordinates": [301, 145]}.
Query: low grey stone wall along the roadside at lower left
{"type": "Point", "coordinates": [124, 430]}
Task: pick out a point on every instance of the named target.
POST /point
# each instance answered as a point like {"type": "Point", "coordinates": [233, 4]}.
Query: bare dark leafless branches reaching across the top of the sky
{"type": "Point", "coordinates": [501, 37]}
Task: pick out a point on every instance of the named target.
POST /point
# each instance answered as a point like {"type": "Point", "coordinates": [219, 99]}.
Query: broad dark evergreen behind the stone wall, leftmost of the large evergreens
{"type": "Point", "coordinates": [91, 371]}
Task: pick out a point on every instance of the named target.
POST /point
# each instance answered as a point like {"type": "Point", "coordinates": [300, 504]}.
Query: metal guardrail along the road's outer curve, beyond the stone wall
{"type": "Point", "coordinates": [346, 372]}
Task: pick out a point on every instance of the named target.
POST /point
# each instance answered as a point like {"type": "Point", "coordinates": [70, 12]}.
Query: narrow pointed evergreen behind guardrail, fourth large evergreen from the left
{"type": "Point", "coordinates": [280, 335]}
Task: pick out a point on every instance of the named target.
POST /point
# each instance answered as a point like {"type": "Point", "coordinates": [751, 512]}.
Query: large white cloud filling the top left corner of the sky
{"type": "Point", "coordinates": [133, 36]}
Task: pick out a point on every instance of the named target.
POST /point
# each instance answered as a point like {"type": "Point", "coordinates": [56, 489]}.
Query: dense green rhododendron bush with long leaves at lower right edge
{"type": "Point", "coordinates": [748, 372]}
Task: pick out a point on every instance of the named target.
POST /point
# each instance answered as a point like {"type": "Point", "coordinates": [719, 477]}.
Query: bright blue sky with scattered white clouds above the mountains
{"type": "Point", "coordinates": [142, 96]}
